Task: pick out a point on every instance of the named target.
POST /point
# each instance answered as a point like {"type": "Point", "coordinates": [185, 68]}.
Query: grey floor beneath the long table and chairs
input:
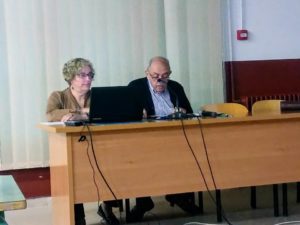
{"type": "Point", "coordinates": [235, 205]}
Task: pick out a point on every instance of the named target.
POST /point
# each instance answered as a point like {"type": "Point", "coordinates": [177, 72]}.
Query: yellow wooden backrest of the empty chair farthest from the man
{"type": "Point", "coordinates": [266, 107]}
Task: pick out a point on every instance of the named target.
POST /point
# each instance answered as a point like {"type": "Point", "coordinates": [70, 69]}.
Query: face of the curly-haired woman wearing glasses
{"type": "Point", "coordinates": [83, 80]}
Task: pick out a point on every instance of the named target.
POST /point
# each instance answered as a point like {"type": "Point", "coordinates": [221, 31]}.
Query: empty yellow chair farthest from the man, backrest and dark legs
{"type": "Point", "coordinates": [272, 107]}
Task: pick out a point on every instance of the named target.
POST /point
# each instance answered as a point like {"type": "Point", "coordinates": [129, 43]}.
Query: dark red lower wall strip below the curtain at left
{"type": "Point", "coordinates": [33, 182]}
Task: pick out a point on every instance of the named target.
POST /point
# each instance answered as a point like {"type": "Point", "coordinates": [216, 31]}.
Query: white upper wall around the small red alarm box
{"type": "Point", "coordinates": [273, 25]}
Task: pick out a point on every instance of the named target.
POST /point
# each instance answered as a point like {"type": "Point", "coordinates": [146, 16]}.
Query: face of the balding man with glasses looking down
{"type": "Point", "coordinates": [158, 75]}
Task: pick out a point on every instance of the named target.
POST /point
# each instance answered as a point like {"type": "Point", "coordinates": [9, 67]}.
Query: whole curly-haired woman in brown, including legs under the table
{"type": "Point", "coordinates": [73, 104]}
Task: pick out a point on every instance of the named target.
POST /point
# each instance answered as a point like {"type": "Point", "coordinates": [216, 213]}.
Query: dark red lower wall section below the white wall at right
{"type": "Point", "coordinates": [261, 77]}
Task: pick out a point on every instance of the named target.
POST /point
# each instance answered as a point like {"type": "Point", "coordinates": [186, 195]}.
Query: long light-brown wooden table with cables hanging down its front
{"type": "Point", "coordinates": [151, 158]}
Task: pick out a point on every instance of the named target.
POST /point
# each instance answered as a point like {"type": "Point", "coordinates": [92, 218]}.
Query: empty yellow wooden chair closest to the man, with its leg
{"type": "Point", "coordinates": [233, 110]}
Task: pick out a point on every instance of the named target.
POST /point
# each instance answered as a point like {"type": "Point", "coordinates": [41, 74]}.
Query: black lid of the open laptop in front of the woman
{"type": "Point", "coordinates": [114, 104]}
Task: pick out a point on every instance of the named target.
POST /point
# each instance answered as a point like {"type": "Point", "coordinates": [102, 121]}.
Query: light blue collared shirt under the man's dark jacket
{"type": "Point", "coordinates": [162, 102]}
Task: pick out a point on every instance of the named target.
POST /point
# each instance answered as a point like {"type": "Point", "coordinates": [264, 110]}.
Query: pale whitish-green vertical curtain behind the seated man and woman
{"type": "Point", "coordinates": [118, 36]}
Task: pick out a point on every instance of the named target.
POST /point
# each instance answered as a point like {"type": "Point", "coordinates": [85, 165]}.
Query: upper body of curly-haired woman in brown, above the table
{"type": "Point", "coordinates": [73, 102]}
